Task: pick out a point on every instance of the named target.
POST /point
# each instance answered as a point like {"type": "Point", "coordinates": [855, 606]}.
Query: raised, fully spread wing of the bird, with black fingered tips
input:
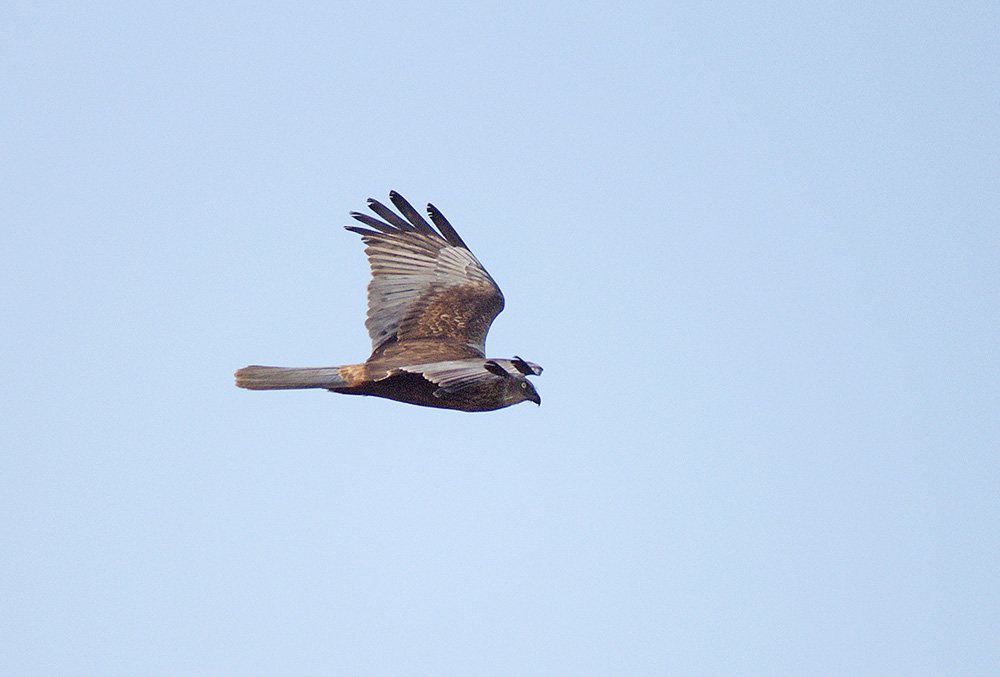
{"type": "Point", "coordinates": [425, 284]}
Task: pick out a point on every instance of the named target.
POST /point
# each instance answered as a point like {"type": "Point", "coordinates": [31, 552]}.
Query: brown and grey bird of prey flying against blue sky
{"type": "Point", "coordinates": [430, 305]}
